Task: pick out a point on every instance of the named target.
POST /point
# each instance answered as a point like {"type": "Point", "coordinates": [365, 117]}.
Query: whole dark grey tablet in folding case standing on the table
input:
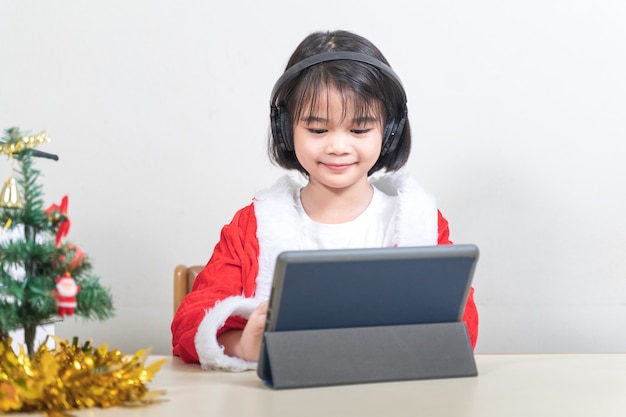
{"type": "Point", "coordinates": [368, 315]}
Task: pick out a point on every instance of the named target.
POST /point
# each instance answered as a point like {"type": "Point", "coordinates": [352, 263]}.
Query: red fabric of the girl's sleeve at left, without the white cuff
{"type": "Point", "coordinates": [231, 271]}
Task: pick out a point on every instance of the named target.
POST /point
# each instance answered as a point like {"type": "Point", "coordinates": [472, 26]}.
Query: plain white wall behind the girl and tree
{"type": "Point", "coordinates": [158, 111]}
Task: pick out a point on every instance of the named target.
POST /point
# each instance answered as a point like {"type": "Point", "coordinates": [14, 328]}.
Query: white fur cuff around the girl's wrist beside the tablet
{"type": "Point", "coordinates": [210, 353]}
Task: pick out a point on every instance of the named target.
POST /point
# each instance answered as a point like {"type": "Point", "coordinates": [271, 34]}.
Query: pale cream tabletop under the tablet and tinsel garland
{"type": "Point", "coordinates": [507, 385]}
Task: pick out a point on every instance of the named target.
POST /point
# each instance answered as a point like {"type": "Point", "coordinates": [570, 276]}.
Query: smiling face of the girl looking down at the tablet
{"type": "Point", "coordinates": [333, 145]}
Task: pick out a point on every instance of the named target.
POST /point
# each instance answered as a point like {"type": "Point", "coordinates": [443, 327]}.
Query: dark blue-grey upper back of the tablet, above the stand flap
{"type": "Point", "coordinates": [344, 288]}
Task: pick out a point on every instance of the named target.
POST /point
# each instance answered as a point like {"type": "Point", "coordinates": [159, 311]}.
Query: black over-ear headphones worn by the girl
{"type": "Point", "coordinates": [279, 117]}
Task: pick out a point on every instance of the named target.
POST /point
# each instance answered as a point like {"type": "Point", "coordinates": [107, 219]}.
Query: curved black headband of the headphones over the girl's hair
{"type": "Point", "coordinates": [298, 67]}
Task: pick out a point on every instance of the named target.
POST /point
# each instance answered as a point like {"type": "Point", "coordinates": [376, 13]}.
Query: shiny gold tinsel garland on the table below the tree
{"type": "Point", "coordinates": [73, 376]}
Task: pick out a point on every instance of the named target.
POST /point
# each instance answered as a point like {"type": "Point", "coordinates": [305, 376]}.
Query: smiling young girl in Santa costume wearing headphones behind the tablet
{"type": "Point", "coordinates": [338, 116]}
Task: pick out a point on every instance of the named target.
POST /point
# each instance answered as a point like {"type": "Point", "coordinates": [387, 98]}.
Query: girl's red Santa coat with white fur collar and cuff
{"type": "Point", "coordinates": [239, 274]}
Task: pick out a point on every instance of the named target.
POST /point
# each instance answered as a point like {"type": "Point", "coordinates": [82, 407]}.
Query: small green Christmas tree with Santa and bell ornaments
{"type": "Point", "coordinates": [42, 277]}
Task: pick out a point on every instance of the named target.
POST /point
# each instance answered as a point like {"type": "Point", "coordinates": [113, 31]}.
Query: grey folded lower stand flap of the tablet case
{"type": "Point", "coordinates": [308, 358]}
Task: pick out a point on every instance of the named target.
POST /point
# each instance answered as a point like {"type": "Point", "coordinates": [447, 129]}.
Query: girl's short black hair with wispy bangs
{"type": "Point", "coordinates": [365, 86]}
